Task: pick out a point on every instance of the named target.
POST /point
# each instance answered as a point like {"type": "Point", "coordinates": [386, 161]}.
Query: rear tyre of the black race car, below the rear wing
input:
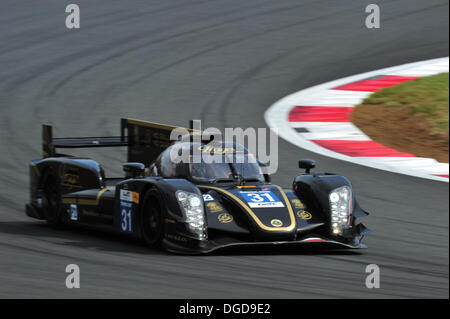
{"type": "Point", "coordinates": [52, 201]}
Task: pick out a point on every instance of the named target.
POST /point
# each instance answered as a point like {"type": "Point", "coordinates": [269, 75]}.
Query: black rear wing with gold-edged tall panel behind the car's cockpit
{"type": "Point", "coordinates": [145, 140]}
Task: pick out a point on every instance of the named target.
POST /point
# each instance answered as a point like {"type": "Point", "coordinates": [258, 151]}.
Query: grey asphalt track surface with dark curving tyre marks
{"type": "Point", "coordinates": [224, 62]}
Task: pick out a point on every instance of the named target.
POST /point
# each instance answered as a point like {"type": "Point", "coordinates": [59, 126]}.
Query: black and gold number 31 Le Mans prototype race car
{"type": "Point", "coordinates": [190, 208]}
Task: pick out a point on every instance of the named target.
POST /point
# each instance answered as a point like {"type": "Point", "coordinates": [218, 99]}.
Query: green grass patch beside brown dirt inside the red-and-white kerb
{"type": "Point", "coordinates": [425, 97]}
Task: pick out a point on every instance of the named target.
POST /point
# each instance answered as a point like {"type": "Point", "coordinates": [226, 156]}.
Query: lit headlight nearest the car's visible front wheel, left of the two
{"type": "Point", "coordinates": [192, 206]}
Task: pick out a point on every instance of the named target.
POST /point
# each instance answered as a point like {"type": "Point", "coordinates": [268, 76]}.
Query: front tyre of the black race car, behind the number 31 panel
{"type": "Point", "coordinates": [152, 219]}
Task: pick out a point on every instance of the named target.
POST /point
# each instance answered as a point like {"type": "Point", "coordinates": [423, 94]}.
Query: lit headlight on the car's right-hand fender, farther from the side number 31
{"type": "Point", "coordinates": [341, 207]}
